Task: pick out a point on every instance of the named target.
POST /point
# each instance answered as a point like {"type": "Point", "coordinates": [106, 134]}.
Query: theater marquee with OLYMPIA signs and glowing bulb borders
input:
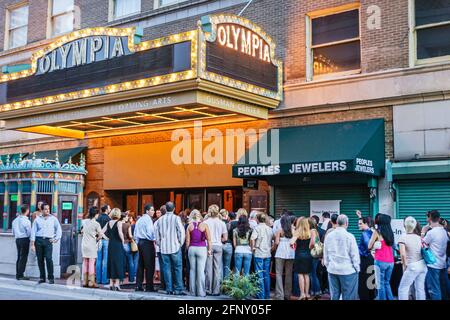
{"type": "Point", "coordinates": [224, 71]}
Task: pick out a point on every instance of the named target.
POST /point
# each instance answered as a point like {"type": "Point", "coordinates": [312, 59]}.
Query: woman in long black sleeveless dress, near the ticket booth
{"type": "Point", "coordinates": [116, 261]}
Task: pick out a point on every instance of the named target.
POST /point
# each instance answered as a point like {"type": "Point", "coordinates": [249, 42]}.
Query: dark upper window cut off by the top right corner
{"type": "Point", "coordinates": [430, 28]}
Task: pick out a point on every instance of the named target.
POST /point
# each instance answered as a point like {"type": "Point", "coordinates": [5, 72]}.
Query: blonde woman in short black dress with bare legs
{"type": "Point", "coordinates": [303, 239]}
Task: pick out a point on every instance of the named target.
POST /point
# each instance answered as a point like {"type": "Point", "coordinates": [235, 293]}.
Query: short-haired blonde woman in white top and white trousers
{"type": "Point", "coordinates": [414, 267]}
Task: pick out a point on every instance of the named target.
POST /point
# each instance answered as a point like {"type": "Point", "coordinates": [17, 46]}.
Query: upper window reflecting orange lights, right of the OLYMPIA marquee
{"type": "Point", "coordinates": [334, 46]}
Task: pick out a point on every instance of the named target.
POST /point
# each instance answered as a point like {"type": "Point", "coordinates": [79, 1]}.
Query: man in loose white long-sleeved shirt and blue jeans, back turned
{"type": "Point", "coordinates": [341, 257]}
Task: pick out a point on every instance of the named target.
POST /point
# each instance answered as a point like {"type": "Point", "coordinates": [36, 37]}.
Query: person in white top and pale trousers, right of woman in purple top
{"type": "Point", "coordinates": [214, 263]}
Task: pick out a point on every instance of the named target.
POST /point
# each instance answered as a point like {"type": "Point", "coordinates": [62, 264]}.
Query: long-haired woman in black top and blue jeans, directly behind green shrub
{"type": "Point", "coordinates": [241, 242]}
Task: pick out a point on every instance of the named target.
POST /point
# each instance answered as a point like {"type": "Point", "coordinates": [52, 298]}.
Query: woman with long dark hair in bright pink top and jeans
{"type": "Point", "coordinates": [382, 241]}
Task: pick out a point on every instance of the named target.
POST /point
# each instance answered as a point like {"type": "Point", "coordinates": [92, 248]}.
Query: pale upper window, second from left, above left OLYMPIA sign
{"type": "Point", "coordinates": [62, 17]}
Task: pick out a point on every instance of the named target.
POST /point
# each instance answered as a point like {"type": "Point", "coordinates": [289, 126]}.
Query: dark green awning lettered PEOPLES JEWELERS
{"type": "Point", "coordinates": [355, 147]}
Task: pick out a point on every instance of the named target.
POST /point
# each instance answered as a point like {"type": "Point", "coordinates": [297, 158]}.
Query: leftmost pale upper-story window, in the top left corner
{"type": "Point", "coordinates": [17, 27]}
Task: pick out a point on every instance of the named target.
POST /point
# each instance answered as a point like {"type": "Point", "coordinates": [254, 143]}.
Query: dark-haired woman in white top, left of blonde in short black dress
{"type": "Point", "coordinates": [284, 258]}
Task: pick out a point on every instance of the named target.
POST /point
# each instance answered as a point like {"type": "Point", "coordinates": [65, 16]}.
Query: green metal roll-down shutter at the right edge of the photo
{"type": "Point", "coordinates": [416, 197]}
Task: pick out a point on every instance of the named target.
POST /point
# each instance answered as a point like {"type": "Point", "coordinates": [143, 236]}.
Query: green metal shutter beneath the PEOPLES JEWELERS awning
{"type": "Point", "coordinates": [297, 199]}
